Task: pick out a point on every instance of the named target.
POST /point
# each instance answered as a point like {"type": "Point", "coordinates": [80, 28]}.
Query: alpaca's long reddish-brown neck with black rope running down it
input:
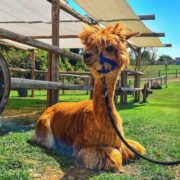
{"type": "Point", "coordinates": [98, 99]}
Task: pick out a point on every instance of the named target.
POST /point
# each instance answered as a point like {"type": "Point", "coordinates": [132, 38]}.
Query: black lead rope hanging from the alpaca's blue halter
{"type": "Point", "coordinates": [108, 108]}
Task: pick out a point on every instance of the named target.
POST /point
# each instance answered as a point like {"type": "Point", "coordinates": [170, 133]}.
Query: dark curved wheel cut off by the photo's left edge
{"type": "Point", "coordinates": [6, 81]}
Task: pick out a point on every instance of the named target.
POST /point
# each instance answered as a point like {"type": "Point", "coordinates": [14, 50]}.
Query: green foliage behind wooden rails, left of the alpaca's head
{"type": "Point", "coordinates": [22, 58]}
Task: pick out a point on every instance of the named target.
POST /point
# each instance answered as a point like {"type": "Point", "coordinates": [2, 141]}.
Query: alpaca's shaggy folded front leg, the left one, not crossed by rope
{"type": "Point", "coordinates": [101, 158]}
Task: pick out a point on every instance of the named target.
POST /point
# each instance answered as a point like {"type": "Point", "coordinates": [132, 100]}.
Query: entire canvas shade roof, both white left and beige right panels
{"type": "Point", "coordinates": [33, 18]}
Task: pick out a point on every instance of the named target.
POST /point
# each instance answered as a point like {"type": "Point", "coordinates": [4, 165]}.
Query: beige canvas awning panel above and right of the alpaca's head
{"type": "Point", "coordinates": [114, 11]}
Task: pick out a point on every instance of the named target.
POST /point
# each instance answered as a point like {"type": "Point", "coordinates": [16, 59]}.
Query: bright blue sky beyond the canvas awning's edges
{"type": "Point", "coordinates": [167, 14]}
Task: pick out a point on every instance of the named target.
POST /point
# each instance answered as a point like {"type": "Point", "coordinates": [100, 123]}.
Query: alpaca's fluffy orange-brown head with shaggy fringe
{"type": "Point", "coordinates": [110, 43]}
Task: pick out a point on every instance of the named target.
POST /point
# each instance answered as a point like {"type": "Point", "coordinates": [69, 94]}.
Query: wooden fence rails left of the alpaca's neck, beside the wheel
{"type": "Point", "coordinates": [38, 84]}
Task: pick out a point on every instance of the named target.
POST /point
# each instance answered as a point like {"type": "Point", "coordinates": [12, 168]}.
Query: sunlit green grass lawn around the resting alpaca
{"type": "Point", "coordinates": [155, 124]}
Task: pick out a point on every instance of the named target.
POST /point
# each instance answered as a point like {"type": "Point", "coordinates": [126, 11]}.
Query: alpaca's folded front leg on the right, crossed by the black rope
{"type": "Point", "coordinates": [127, 154]}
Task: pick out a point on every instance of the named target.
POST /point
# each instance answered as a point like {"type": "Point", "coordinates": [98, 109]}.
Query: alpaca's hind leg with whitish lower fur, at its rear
{"type": "Point", "coordinates": [44, 135]}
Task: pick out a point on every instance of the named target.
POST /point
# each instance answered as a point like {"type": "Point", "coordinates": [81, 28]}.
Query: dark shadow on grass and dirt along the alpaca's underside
{"type": "Point", "coordinates": [72, 169]}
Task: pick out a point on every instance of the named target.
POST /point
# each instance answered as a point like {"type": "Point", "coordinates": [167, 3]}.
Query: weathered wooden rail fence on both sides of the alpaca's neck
{"type": "Point", "coordinates": [122, 88]}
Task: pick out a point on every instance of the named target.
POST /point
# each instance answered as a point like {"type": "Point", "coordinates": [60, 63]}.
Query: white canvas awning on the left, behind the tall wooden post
{"type": "Point", "coordinates": [33, 18]}
